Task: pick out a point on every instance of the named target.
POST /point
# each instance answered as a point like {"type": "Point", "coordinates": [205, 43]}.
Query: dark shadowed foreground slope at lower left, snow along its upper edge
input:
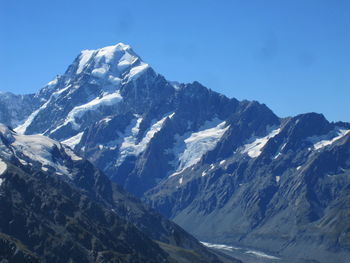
{"type": "Point", "coordinates": [60, 208]}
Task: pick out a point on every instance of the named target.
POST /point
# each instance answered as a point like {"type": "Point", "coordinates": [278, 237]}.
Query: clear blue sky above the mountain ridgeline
{"type": "Point", "coordinates": [293, 56]}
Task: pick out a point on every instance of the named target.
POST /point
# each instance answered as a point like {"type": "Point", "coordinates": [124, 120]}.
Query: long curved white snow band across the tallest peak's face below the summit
{"type": "Point", "coordinates": [79, 111]}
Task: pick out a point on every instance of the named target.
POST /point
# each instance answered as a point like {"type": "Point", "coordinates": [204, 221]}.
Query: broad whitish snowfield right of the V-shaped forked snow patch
{"type": "Point", "coordinates": [190, 148]}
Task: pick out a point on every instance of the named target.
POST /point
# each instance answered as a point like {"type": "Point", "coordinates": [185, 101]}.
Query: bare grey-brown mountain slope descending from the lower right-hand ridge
{"type": "Point", "coordinates": [285, 192]}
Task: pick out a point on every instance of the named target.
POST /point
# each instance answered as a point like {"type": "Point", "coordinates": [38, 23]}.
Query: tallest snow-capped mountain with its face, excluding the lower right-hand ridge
{"type": "Point", "coordinates": [110, 106]}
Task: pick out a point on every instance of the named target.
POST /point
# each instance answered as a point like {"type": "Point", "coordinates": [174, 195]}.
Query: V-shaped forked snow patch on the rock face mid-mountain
{"type": "Point", "coordinates": [130, 145]}
